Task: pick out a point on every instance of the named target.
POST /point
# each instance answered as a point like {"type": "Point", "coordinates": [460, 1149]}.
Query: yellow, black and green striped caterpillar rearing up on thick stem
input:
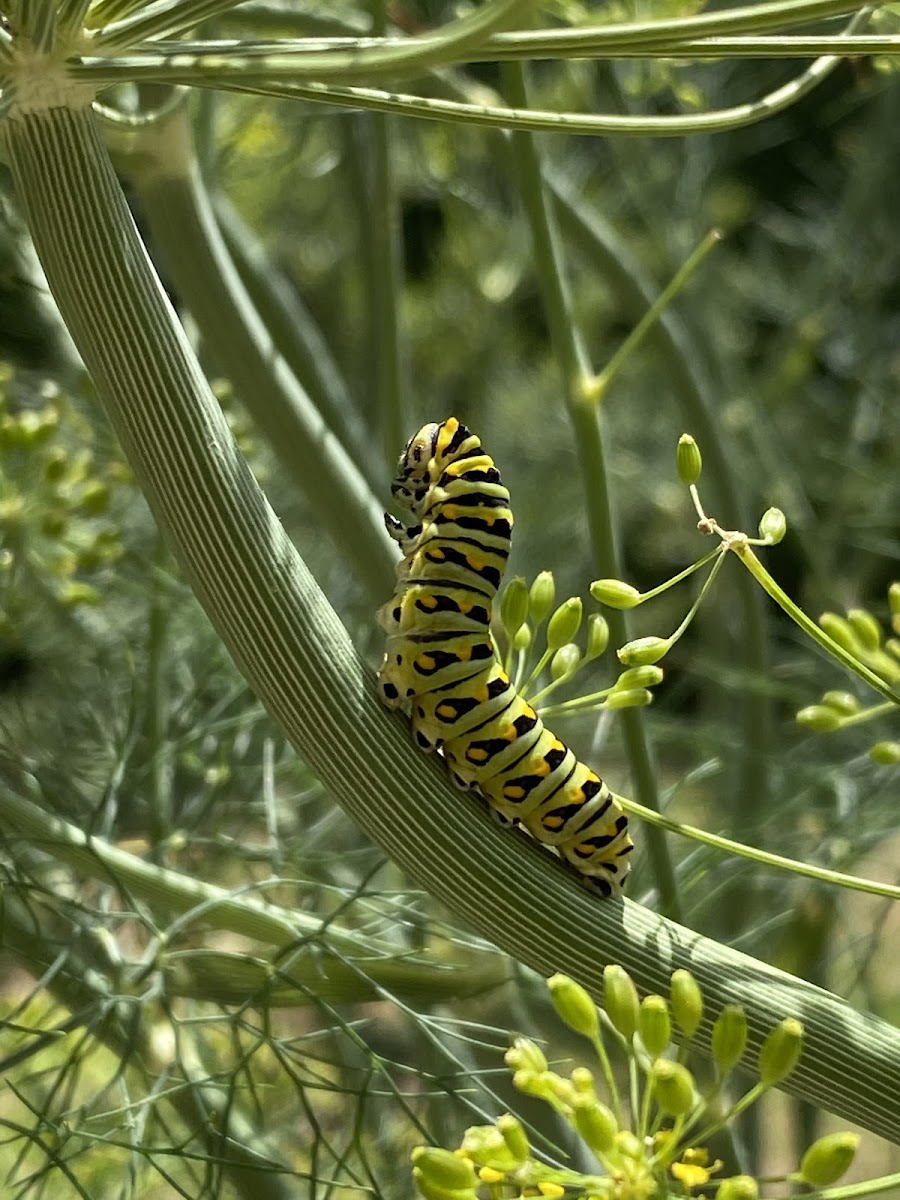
{"type": "Point", "coordinates": [442, 667]}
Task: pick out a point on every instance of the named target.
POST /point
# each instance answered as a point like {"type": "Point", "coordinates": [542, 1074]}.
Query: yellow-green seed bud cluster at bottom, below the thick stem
{"type": "Point", "coordinates": [652, 1154]}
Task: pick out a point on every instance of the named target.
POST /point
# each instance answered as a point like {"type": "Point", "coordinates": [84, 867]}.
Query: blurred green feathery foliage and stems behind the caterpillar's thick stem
{"type": "Point", "coordinates": [389, 266]}
